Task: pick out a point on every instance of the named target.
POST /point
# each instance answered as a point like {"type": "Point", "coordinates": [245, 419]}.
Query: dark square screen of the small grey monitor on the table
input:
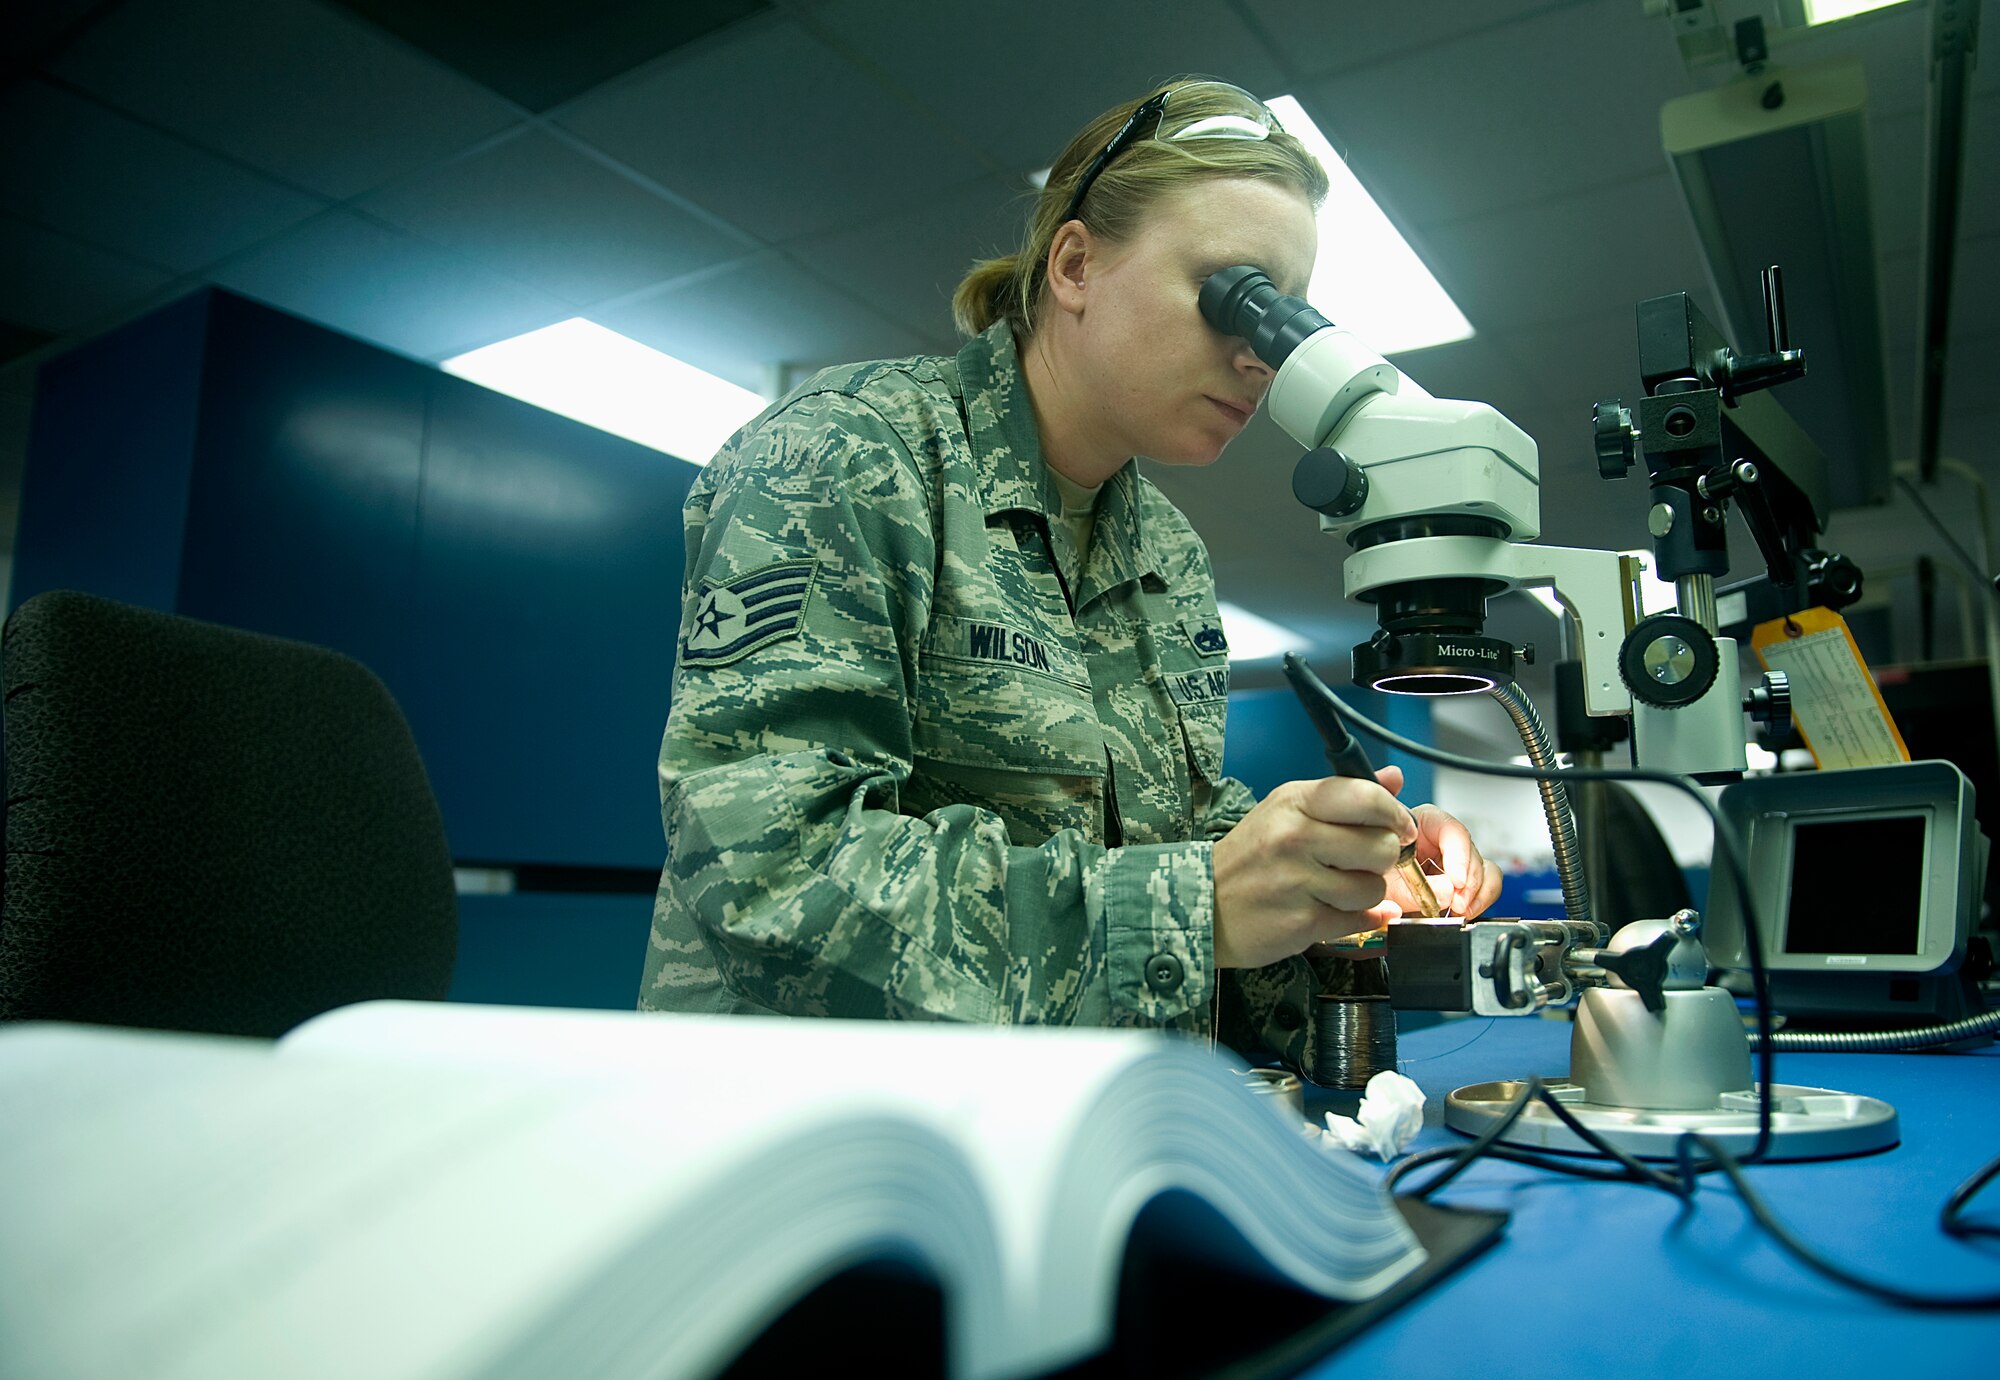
{"type": "Point", "coordinates": [1857, 887]}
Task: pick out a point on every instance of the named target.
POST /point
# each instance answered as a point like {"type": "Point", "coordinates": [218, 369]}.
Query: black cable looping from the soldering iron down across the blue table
{"type": "Point", "coordinates": [1719, 1159]}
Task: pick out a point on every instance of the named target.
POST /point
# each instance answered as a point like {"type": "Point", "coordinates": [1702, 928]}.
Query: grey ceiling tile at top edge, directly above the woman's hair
{"type": "Point", "coordinates": [1023, 79]}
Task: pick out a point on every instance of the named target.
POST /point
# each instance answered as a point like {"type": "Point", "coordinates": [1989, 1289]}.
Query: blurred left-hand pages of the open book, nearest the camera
{"type": "Point", "coordinates": [197, 1207]}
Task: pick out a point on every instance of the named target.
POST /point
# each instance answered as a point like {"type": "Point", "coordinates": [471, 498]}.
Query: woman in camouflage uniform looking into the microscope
{"type": "Point", "coordinates": [947, 725]}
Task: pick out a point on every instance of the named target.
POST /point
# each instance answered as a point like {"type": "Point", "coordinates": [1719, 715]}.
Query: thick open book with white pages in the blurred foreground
{"type": "Point", "coordinates": [427, 1191]}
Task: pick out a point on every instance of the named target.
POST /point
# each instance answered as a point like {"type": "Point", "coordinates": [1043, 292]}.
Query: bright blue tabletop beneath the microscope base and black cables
{"type": "Point", "coordinates": [1625, 1281]}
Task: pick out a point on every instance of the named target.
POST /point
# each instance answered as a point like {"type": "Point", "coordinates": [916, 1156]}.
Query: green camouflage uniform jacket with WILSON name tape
{"type": "Point", "coordinates": [923, 763]}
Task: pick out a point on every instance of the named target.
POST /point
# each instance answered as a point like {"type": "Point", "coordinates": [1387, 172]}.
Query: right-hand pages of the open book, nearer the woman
{"type": "Point", "coordinates": [1071, 1135]}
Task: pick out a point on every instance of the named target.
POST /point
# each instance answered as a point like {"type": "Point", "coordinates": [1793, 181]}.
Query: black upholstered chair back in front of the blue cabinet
{"type": "Point", "coordinates": [209, 829]}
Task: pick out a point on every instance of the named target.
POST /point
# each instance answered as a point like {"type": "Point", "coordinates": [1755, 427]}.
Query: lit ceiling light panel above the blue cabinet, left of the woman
{"type": "Point", "coordinates": [617, 385]}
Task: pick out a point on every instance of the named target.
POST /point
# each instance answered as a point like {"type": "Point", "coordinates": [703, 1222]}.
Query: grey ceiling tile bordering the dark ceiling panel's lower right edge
{"type": "Point", "coordinates": [771, 131]}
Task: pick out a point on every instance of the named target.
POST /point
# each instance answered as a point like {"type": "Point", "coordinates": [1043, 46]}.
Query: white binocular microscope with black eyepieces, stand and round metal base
{"type": "Point", "coordinates": [1439, 505]}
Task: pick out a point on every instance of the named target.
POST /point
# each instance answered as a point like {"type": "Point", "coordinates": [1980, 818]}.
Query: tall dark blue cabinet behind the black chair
{"type": "Point", "coordinates": [511, 575]}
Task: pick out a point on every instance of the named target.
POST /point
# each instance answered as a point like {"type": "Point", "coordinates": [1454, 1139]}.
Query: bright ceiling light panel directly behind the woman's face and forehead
{"type": "Point", "coordinates": [1367, 277]}
